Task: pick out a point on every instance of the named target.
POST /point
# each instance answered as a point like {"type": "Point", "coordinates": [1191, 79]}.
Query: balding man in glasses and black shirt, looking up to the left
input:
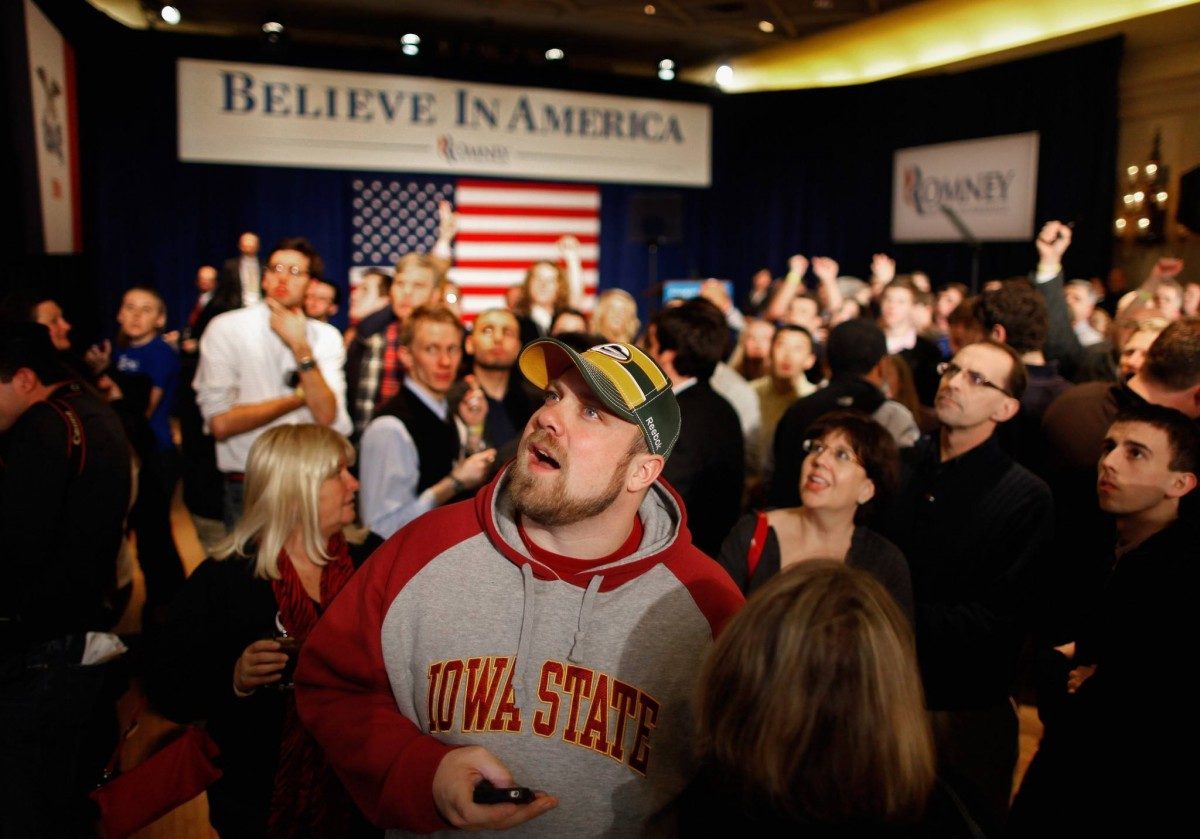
{"type": "Point", "coordinates": [975, 526]}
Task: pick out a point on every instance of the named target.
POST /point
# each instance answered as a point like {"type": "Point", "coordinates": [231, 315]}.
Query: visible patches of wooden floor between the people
{"type": "Point", "coordinates": [191, 822]}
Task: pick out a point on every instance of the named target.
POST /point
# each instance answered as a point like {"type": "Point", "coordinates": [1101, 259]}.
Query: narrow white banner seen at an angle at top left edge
{"type": "Point", "coordinates": [52, 81]}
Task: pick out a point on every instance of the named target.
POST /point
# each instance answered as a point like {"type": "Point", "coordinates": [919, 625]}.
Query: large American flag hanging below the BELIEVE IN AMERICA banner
{"type": "Point", "coordinates": [503, 229]}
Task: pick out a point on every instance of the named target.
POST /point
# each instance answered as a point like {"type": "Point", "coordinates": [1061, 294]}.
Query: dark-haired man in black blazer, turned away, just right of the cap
{"type": "Point", "coordinates": [707, 468]}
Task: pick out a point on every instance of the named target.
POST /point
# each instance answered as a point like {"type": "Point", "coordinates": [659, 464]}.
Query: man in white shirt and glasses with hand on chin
{"type": "Point", "coordinates": [269, 365]}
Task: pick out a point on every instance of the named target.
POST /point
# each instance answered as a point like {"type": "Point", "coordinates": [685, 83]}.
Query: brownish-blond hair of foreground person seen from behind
{"type": "Point", "coordinates": [812, 700]}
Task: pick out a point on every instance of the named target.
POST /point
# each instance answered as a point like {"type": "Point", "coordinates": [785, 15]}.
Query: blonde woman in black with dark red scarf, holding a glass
{"type": "Point", "coordinates": [220, 661]}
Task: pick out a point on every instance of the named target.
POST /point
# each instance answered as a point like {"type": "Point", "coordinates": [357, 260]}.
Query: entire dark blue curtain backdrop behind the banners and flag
{"type": "Point", "coordinates": [800, 171]}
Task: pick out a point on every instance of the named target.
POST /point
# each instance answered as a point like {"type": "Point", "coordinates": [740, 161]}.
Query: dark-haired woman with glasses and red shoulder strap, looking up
{"type": "Point", "coordinates": [850, 464]}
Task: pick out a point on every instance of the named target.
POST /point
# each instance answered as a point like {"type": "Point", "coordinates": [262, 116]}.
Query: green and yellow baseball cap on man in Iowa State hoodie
{"type": "Point", "coordinates": [623, 377]}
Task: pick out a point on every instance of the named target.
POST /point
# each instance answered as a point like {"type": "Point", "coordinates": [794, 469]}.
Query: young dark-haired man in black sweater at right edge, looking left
{"type": "Point", "coordinates": [1109, 756]}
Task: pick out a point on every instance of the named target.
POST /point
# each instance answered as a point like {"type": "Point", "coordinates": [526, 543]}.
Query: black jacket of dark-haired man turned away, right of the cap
{"type": "Point", "coordinates": [707, 466]}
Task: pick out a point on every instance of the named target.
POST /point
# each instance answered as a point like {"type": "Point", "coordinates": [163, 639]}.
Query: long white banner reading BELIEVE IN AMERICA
{"type": "Point", "coordinates": [273, 116]}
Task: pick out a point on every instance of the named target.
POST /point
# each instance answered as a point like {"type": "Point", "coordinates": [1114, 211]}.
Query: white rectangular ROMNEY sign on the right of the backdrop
{"type": "Point", "coordinates": [982, 189]}
